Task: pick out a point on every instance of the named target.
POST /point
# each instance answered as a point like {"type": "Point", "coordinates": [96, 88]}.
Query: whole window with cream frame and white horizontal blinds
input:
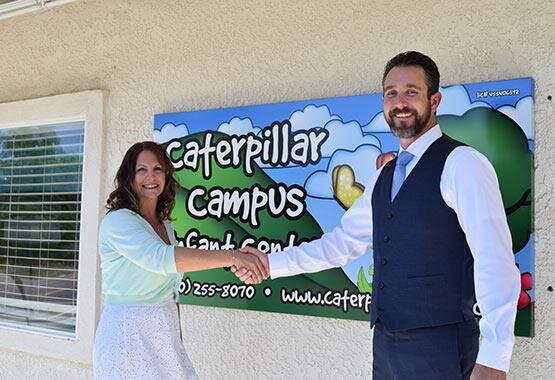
{"type": "Point", "coordinates": [49, 214]}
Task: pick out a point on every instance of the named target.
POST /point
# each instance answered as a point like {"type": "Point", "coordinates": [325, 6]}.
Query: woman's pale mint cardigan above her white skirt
{"type": "Point", "coordinates": [137, 266]}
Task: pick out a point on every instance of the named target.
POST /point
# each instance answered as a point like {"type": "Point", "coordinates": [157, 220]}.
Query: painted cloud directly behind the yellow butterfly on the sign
{"type": "Point", "coordinates": [362, 161]}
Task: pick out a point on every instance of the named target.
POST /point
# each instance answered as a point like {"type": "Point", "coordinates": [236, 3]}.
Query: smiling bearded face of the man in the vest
{"type": "Point", "coordinates": [407, 108]}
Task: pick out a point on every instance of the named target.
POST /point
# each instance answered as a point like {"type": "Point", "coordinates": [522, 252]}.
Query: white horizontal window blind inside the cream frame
{"type": "Point", "coordinates": [40, 211]}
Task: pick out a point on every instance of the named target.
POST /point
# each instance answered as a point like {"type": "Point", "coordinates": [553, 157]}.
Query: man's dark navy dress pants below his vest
{"type": "Point", "coordinates": [432, 353]}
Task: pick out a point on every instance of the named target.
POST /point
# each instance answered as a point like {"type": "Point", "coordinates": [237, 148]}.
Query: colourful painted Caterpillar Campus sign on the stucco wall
{"type": "Point", "coordinates": [272, 176]}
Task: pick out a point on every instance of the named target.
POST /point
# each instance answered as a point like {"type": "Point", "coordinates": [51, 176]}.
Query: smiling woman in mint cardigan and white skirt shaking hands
{"type": "Point", "coordinates": [139, 333]}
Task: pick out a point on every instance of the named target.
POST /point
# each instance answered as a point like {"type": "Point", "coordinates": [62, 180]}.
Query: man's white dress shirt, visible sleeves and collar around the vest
{"type": "Point", "coordinates": [469, 186]}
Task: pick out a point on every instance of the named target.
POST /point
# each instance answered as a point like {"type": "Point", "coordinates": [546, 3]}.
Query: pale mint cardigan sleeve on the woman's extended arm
{"type": "Point", "coordinates": [125, 233]}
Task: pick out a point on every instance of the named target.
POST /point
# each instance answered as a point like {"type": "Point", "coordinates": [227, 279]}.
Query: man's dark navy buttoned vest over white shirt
{"type": "Point", "coordinates": [423, 268]}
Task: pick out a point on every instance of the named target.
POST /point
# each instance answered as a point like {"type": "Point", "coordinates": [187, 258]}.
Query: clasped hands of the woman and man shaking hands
{"type": "Point", "coordinates": [250, 265]}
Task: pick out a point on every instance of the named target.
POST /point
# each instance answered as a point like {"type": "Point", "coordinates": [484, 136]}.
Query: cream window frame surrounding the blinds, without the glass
{"type": "Point", "coordinates": [84, 106]}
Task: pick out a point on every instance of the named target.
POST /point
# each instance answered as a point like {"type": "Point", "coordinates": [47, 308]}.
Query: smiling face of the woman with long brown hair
{"type": "Point", "coordinates": [150, 177]}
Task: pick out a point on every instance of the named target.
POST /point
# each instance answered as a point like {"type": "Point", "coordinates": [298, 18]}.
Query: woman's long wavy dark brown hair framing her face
{"type": "Point", "coordinates": [124, 197]}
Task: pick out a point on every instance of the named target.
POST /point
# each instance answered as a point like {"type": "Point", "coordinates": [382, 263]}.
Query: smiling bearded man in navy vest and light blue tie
{"type": "Point", "coordinates": [436, 221]}
